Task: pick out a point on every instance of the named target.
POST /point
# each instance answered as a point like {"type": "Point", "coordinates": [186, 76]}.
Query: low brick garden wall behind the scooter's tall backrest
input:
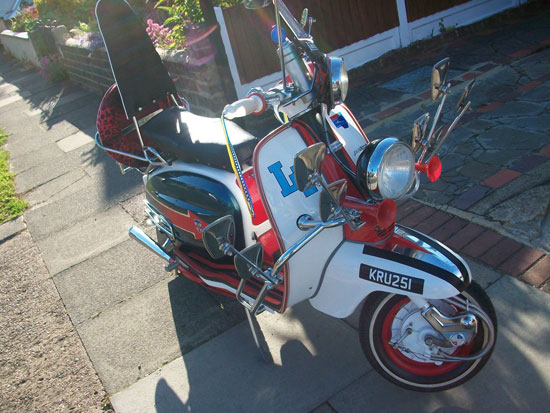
{"type": "Point", "coordinates": [197, 81]}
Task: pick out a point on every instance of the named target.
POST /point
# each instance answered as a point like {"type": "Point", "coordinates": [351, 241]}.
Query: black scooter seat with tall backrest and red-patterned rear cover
{"type": "Point", "coordinates": [144, 85]}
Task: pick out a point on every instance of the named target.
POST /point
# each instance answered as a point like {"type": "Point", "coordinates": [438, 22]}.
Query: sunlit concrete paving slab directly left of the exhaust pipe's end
{"type": "Point", "coordinates": [90, 237]}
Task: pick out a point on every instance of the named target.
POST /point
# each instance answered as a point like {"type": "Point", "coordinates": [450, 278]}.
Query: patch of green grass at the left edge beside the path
{"type": "Point", "coordinates": [10, 206]}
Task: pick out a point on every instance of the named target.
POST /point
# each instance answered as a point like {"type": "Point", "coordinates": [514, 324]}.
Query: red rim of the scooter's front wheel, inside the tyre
{"type": "Point", "coordinates": [407, 364]}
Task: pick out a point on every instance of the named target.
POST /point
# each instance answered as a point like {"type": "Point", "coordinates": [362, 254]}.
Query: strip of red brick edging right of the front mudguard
{"type": "Point", "coordinates": [491, 248]}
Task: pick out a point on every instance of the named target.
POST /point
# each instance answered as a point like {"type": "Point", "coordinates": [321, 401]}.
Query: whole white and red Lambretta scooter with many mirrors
{"type": "Point", "coordinates": [305, 213]}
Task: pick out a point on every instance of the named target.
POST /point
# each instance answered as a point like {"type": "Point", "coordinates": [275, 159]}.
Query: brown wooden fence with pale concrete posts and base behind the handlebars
{"type": "Point", "coordinates": [358, 30]}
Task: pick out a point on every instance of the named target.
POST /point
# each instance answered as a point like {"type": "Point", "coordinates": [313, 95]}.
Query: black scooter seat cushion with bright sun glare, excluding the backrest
{"type": "Point", "coordinates": [197, 139]}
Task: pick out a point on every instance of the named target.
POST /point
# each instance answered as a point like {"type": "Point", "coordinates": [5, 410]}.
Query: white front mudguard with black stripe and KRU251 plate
{"type": "Point", "coordinates": [409, 263]}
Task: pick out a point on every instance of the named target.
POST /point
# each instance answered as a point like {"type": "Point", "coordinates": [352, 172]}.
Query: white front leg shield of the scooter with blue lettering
{"type": "Point", "coordinates": [273, 165]}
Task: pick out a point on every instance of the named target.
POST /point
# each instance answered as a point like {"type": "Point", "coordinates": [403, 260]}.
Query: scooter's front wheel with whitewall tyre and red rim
{"type": "Point", "coordinates": [405, 358]}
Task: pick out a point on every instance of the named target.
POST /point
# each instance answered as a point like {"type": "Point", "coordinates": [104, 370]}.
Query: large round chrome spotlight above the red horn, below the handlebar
{"type": "Point", "coordinates": [385, 169]}
